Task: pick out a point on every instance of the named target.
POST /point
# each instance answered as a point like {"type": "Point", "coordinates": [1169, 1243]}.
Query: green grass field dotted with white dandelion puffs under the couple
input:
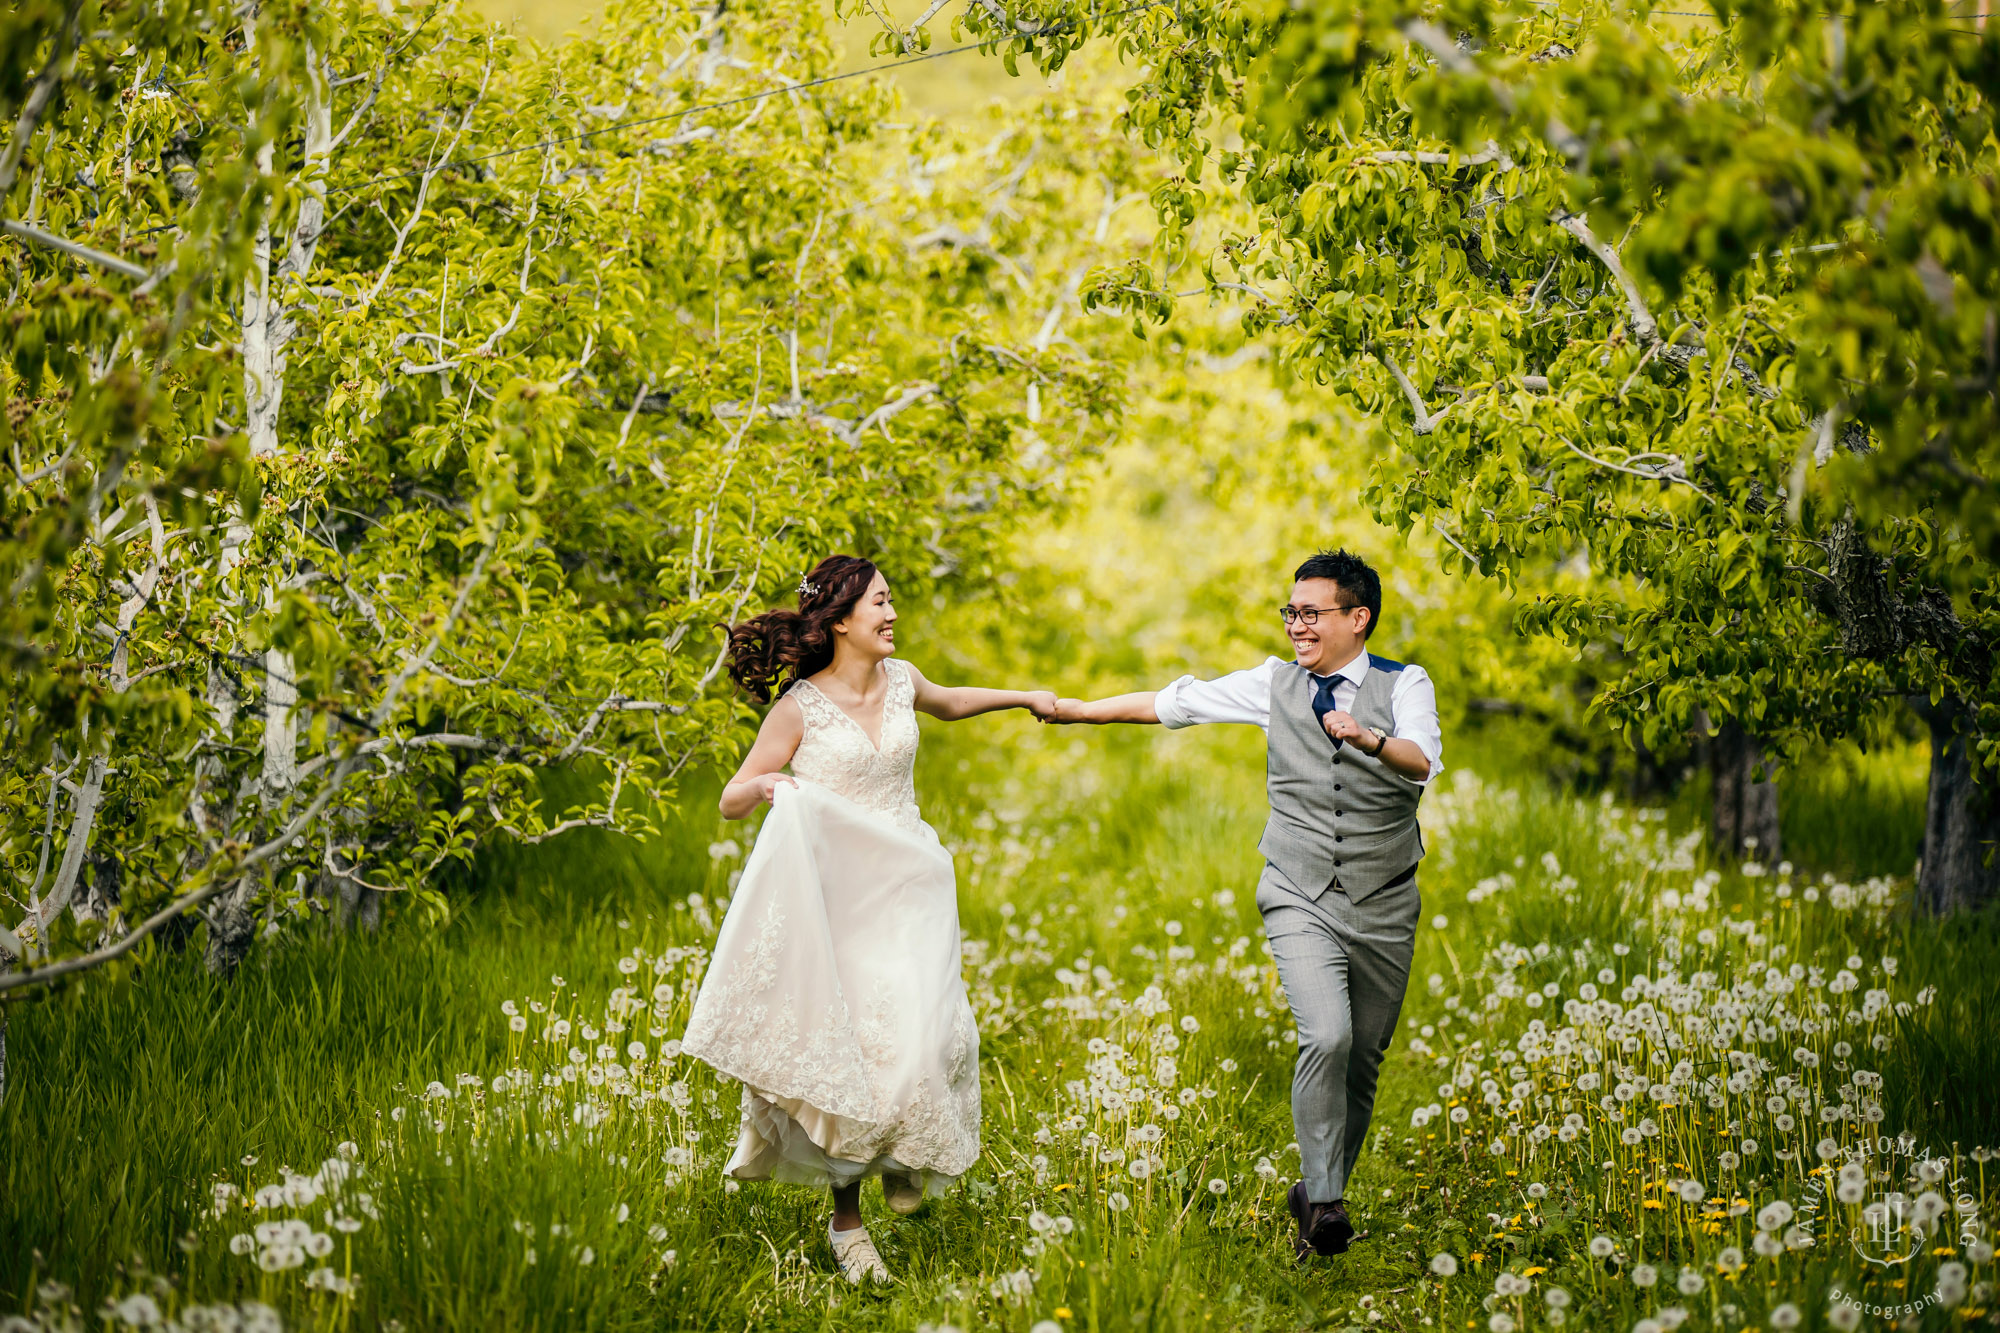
{"type": "Point", "coordinates": [1617, 1066]}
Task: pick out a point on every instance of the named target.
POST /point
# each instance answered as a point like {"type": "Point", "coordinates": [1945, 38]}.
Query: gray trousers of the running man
{"type": "Point", "coordinates": [1345, 968]}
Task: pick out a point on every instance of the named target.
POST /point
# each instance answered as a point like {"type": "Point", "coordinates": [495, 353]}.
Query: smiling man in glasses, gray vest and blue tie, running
{"type": "Point", "coordinates": [1353, 740]}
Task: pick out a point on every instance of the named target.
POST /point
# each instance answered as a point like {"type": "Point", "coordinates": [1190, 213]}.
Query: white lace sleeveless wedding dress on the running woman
{"type": "Point", "coordinates": [835, 992]}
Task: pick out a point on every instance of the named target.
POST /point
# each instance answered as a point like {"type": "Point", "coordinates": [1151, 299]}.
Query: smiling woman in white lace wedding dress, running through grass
{"type": "Point", "coordinates": [835, 992]}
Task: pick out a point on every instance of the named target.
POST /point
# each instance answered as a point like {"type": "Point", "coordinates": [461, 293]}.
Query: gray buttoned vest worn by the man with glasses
{"type": "Point", "coordinates": [1337, 816]}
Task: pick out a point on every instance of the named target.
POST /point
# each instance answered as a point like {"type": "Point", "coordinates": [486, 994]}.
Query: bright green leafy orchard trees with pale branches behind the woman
{"type": "Point", "coordinates": [395, 415]}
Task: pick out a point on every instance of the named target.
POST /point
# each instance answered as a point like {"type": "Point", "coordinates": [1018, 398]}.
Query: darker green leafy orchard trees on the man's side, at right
{"type": "Point", "coordinates": [1709, 305]}
